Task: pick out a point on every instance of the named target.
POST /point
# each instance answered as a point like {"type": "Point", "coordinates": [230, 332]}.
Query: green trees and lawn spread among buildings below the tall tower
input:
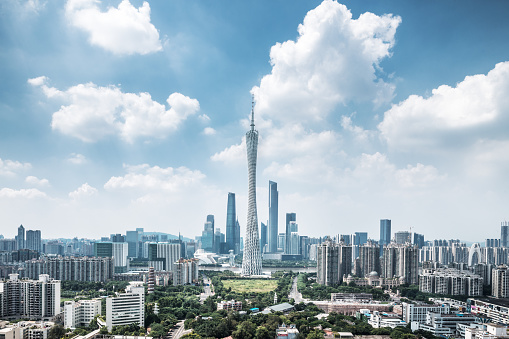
{"type": "Point", "coordinates": [182, 303]}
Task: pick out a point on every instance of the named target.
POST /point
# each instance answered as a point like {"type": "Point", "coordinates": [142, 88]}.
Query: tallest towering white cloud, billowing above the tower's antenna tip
{"type": "Point", "coordinates": [334, 60]}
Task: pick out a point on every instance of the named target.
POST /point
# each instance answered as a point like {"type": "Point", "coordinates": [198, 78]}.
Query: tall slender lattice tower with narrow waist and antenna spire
{"type": "Point", "coordinates": [252, 259]}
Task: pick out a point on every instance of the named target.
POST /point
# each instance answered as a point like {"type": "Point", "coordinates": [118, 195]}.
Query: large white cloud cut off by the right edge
{"type": "Point", "coordinates": [477, 108]}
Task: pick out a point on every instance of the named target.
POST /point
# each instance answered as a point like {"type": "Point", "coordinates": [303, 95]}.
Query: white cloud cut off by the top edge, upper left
{"type": "Point", "coordinates": [122, 30]}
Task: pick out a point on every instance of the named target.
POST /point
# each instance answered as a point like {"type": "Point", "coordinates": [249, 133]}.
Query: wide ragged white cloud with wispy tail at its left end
{"type": "Point", "coordinates": [94, 112]}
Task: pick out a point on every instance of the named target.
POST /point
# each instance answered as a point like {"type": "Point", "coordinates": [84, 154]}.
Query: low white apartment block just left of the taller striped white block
{"type": "Point", "coordinates": [81, 313]}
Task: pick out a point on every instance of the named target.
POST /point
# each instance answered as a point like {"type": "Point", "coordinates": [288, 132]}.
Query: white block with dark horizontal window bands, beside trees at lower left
{"type": "Point", "coordinates": [126, 308]}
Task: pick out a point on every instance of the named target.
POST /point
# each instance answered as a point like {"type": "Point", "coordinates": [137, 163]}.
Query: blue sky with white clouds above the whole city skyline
{"type": "Point", "coordinates": [123, 114]}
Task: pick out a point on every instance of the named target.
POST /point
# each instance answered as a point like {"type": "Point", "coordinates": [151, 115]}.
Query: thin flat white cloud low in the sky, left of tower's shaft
{"type": "Point", "coordinates": [146, 178]}
